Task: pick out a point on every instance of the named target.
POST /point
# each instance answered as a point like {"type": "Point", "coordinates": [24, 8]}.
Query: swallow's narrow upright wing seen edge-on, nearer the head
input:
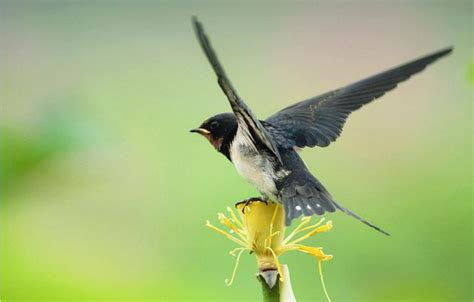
{"type": "Point", "coordinates": [244, 115]}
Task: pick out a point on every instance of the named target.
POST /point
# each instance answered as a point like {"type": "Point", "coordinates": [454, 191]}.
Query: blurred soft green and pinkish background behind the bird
{"type": "Point", "coordinates": [104, 193]}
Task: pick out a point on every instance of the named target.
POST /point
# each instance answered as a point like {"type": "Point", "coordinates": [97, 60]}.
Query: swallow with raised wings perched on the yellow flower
{"type": "Point", "coordinates": [265, 152]}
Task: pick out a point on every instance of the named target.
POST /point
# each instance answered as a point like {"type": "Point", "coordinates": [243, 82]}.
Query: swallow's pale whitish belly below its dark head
{"type": "Point", "coordinates": [251, 165]}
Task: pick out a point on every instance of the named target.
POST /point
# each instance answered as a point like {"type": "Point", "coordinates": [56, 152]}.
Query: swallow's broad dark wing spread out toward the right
{"type": "Point", "coordinates": [319, 121]}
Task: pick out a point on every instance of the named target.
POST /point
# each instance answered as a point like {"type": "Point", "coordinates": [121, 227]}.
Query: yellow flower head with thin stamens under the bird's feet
{"type": "Point", "coordinates": [260, 229]}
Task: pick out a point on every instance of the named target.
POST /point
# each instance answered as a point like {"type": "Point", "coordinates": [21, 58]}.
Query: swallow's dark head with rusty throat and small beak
{"type": "Point", "coordinates": [219, 130]}
